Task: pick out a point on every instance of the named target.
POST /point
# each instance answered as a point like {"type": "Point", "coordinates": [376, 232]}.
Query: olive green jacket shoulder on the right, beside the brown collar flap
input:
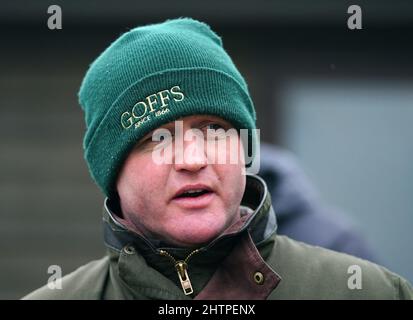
{"type": "Point", "coordinates": [310, 272]}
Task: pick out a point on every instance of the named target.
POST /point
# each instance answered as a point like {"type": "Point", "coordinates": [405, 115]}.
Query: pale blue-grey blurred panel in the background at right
{"type": "Point", "coordinates": [355, 140]}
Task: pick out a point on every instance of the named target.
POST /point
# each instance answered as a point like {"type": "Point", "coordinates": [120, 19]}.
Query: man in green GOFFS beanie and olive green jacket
{"type": "Point", "coordinates": [165, 109]}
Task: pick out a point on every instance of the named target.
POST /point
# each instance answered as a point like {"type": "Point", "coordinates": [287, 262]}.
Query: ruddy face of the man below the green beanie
{"type": "Point", "coordinates": [162, 200]}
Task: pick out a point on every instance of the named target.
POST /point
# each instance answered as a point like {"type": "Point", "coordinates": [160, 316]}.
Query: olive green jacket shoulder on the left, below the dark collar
{"type": "Point", "coordinates": [85, 283]}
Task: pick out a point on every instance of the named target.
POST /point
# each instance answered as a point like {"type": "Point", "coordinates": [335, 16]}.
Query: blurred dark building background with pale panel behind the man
{"type": "Point", "coordinates": [340, 99]}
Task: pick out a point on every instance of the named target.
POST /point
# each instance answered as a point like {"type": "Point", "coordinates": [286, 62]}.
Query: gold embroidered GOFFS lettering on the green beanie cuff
{"type": "Point", "coordinates": [153, 105]}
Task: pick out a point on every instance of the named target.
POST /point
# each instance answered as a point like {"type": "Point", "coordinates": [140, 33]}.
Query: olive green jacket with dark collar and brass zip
{"type": "Point", "coordinates": [249, 261]}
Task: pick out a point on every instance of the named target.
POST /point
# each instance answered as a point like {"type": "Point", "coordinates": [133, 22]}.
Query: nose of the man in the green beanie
{"type": "Point", "coordinates": [190, 155]}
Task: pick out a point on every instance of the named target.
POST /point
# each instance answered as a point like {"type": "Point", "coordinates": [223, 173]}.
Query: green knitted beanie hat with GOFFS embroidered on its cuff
{"type": "Point", "coordinates": [150, 76]}
